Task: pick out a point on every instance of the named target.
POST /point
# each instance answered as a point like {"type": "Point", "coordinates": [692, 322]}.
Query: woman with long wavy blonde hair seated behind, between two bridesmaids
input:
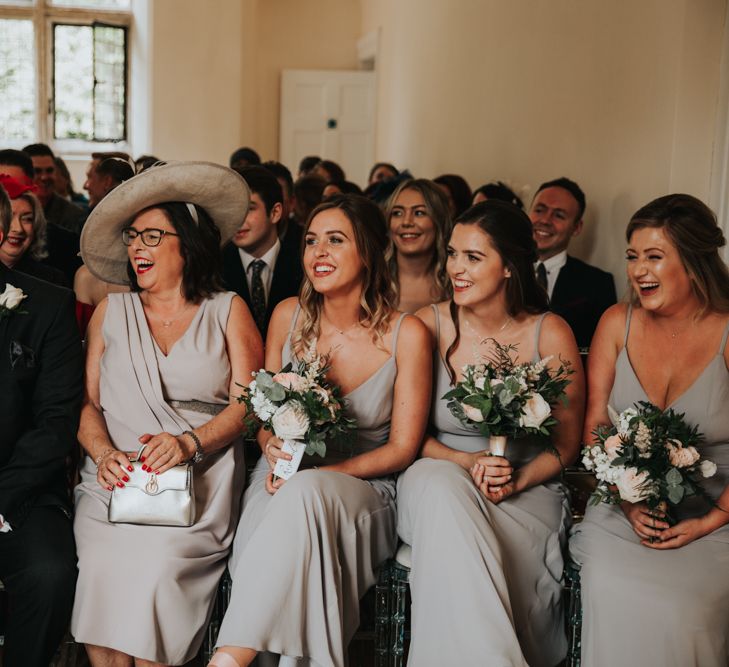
{"type": "Point", "coordinates": [420, 221]}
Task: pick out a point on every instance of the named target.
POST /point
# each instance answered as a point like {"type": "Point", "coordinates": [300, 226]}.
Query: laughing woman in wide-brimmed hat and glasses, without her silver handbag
{"type": "Point", "coordinates": [162, 363]}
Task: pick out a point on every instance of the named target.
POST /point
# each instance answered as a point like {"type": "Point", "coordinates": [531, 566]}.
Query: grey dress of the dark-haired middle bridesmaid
{"type": "Point", "coordinates": [485, 579]}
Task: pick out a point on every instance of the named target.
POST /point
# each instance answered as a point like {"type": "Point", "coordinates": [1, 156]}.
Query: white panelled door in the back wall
{"type": "Point", "coordinates": [329, 113]}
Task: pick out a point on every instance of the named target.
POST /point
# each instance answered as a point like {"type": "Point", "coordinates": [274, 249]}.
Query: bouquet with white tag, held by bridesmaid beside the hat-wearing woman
{"type": "Point", "coordinates": [300, 407]}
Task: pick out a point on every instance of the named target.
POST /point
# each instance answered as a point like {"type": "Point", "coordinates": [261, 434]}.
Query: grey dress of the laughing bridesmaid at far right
{"type": "Point", "coordinates": [669, 608]}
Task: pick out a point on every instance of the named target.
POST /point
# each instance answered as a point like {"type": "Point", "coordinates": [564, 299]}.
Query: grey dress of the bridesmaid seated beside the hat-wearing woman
{"type": "Point", "coordinates": [303, 557]}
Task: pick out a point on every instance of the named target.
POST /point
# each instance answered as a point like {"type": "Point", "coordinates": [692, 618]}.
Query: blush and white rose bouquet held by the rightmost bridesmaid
{"type": "Point", "coordinates": [647, 455]}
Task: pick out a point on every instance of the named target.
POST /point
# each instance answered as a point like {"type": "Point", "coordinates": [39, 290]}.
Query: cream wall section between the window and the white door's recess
{"type": "Point", "coordinates": [197, 69]}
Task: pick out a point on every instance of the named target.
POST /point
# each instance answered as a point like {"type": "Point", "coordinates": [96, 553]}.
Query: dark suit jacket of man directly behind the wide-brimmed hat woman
{"type": "Point", "coordinates": [287, 274]}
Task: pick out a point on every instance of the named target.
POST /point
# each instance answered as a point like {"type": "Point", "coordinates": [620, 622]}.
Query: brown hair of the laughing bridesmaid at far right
{"type": "Point", "coordinates": [692, 228]}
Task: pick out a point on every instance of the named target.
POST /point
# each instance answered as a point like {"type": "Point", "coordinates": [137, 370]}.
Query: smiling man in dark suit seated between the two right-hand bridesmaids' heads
{"type": "Point", "coordinates": [578, 292]}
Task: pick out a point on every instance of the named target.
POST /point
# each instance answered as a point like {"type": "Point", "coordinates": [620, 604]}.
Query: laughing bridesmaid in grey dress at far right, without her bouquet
{"type": "Point", "coordinates": [642, 578]}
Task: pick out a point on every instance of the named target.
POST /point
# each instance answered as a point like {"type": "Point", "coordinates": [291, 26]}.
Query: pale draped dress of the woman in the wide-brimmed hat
{"type": "Point", "coordinates": [148, 590]}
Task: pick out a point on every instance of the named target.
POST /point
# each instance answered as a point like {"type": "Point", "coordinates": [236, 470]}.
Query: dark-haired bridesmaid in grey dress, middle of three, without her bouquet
{"type": "Point", "coordinates": [487, 532]}
